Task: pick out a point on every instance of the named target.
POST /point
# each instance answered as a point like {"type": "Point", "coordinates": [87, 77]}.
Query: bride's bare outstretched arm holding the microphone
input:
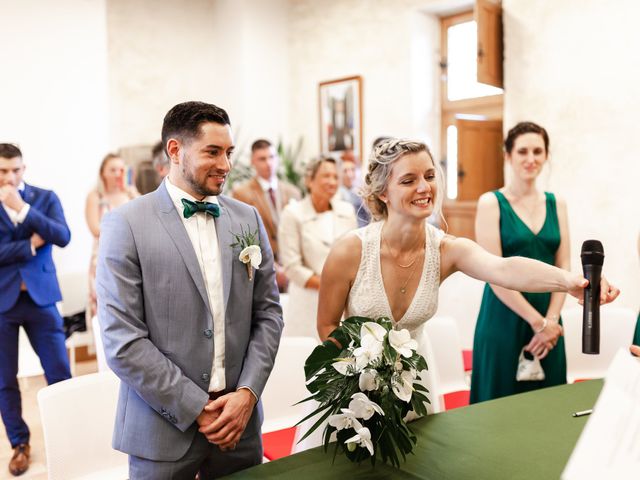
{"type": "Point", "coordinates": [515, 273]}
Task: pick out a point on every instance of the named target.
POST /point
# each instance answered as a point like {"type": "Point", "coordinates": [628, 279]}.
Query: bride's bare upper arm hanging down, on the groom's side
{"type": "Point", "coordinates": [338, 274]}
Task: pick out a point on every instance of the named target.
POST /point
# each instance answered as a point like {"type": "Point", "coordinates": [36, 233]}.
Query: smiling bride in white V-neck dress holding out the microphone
{"type": "Point", "coordinates": [393, 267]}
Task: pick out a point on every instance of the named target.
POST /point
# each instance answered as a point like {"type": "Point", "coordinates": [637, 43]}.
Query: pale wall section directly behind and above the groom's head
{"type": "Point", "coordinates": [228, 52]}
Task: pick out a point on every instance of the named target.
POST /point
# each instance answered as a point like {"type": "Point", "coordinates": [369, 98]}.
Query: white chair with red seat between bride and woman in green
{"type": "Point", "coordinates": [445, 377]}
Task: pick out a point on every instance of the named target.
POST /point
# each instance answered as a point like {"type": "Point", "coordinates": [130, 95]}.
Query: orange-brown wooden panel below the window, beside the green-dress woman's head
{"type": "Point", "coordinates": [480, 158]}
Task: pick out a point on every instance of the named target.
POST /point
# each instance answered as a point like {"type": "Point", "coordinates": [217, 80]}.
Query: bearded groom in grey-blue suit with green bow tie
{"type": "Point", "coordinates": [190, 329]}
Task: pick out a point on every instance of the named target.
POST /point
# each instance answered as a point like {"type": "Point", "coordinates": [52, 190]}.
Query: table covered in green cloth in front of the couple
{"type": "Point", "coordinates": [525, 436]}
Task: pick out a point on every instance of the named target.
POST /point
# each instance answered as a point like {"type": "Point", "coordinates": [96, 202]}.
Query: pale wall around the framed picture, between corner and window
{"type": "Point", "coordinates": [391, 44]}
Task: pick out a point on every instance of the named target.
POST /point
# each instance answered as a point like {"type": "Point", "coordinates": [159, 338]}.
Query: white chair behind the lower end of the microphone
{"type": "Point", "coordinates": [616, 331]}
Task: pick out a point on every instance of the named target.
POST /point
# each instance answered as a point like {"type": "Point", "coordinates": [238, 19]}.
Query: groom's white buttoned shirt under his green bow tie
{"type": "Point", "coordinates": [201, 229]}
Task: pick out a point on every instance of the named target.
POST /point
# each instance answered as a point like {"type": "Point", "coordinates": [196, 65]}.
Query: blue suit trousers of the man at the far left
{"type": "Point", "coordinates": [43, 326]}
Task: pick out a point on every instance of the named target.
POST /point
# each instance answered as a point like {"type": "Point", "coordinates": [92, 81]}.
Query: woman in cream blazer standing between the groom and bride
{"type": "Point", "coordinates": [306, 233]}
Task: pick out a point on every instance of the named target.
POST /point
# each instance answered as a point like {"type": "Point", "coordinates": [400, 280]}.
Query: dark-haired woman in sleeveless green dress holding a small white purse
{"type": "Point", "coordinates": [520, 220]}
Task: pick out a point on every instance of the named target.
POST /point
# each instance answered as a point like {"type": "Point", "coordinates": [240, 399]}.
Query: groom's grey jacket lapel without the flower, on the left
{"type": "Point", "coordinates": [175, 228]}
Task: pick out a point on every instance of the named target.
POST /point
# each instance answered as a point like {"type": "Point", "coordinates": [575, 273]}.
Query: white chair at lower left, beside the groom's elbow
{"type": "Point", "coordinates": [77, 422]}
